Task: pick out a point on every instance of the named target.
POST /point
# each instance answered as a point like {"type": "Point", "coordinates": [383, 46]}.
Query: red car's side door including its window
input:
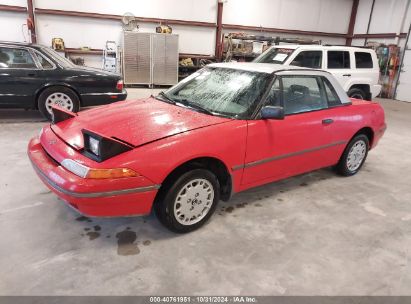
{"type": "Point", "coordinates": [300, 142]}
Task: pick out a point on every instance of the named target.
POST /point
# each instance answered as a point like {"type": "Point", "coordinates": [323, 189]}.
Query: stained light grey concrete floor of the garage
{"type": "Point", "coordinates": [316, 234]}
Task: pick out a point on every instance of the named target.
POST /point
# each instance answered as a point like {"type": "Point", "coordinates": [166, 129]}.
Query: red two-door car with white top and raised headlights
{"type": "Point", "coordinates": [222, 130]}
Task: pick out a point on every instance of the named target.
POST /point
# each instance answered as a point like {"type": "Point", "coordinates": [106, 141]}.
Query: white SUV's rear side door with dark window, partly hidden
{"type": "Point", "coordinates": [339, 64]}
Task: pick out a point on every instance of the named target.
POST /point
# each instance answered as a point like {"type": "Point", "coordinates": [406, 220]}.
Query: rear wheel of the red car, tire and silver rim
{"type": "Point", "coordinates": [354, 156]}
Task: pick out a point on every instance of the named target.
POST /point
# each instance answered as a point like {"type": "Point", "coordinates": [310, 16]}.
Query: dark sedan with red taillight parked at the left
{"type": "Point", "coordinates": [36, 77]}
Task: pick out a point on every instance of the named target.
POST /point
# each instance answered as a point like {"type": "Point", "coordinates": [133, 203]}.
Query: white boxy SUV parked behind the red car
{"type": "Point", "coordinates": [356, 69]}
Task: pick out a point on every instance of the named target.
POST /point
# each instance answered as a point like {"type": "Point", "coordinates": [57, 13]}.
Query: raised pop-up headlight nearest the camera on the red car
{"type": "Point", "coordinates": [99, 148]}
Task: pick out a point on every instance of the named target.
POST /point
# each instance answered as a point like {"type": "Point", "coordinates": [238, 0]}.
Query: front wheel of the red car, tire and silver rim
{"type": "Point", "coordinates": [196, 191]}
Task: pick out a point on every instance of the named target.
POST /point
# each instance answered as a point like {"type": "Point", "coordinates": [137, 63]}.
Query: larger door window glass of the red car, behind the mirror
{"type": "Point", "coordinates": [302, 94]}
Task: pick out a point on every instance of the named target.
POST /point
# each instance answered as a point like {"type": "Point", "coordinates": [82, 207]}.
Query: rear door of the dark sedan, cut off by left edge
{"type": "Point", "coordinates": [18, 77]}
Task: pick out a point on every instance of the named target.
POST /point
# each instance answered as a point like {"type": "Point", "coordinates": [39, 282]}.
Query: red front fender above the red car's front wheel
{"type": "Point", "coordinates": [225, 142]}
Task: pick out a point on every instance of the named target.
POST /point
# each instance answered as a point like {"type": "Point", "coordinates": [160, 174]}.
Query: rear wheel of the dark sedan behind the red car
{"type": "Point", "coordinates": [59, 95]}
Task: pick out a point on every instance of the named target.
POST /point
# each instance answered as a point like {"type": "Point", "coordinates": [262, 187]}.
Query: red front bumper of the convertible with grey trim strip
{"type": "Point", "coordinates": [86, 195]}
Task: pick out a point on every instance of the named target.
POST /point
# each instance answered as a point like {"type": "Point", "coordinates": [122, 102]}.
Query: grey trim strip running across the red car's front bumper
{"type": "Point", "coordinates": [94, 194]}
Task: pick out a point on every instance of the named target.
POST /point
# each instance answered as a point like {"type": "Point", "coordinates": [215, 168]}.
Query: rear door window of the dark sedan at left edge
{"type": "Point", "coordinates": [16, 59]}
